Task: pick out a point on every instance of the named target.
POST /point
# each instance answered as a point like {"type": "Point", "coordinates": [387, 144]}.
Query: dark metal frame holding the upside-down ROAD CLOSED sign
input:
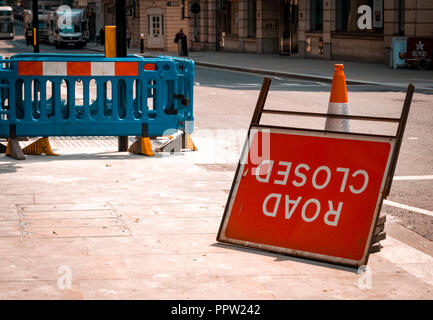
{"type": "Point", "coordinates": [394, 140]}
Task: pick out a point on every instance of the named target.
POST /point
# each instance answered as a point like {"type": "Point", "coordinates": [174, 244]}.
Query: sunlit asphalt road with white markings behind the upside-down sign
{"type": "Point", "coordinates": [226, 99]}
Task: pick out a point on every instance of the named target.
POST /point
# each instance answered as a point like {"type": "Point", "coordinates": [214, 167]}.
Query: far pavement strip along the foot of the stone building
{"type": "Point", "coordinates": [308, 69]}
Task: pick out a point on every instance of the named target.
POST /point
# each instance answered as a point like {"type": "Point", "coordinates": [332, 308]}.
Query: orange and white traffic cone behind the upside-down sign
{"type": "Point", "coordinates": [338, 103]}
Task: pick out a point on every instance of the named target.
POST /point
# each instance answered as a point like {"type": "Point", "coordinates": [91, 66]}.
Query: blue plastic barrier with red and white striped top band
{"type": "Point", "coordinates": [90, 95]}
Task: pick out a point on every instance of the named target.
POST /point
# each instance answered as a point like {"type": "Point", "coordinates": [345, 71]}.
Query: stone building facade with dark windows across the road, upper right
{"type": "Point", "coordinates": [350, 29]}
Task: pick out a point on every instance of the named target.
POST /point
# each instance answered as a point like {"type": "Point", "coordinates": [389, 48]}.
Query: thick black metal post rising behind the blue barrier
{"type": "Point", "coordinates": [121, 51]}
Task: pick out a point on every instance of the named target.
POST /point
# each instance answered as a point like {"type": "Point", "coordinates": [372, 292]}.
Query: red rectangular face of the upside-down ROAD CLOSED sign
{"type": "Point", "coordinates": [308, 194]}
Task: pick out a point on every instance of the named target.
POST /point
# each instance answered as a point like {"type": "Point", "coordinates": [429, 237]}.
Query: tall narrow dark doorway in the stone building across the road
{"type": "Point", "coordinates": [289, 27]}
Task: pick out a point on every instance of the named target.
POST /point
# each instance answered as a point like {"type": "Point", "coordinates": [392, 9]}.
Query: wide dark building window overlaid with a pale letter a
{"type": "Point", "coordinates": [347, 15]}
